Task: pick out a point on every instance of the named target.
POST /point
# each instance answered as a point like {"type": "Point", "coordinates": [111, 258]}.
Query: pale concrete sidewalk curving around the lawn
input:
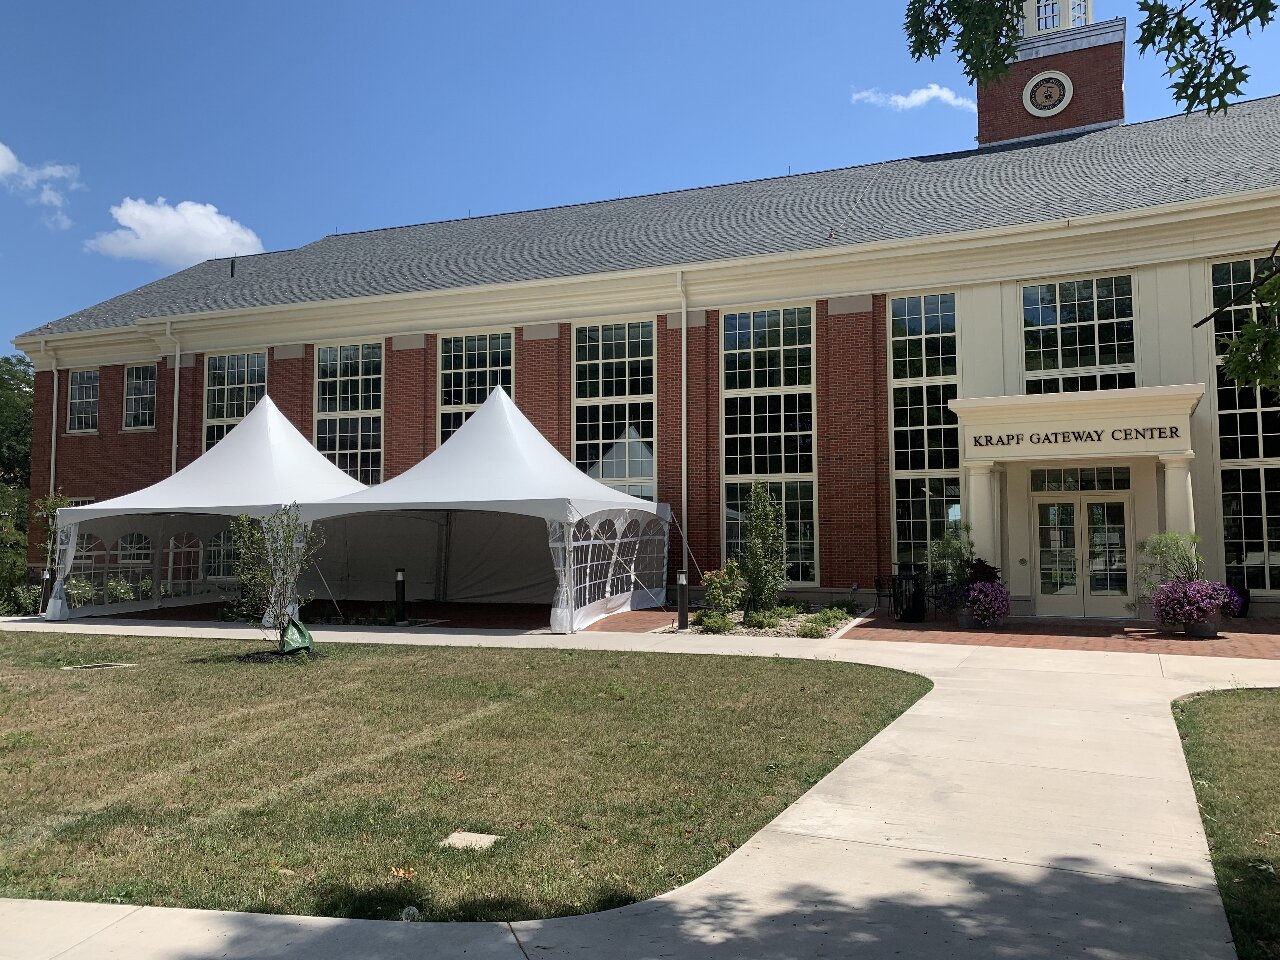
{"type": "Point", "coordinates": [1035, 804]}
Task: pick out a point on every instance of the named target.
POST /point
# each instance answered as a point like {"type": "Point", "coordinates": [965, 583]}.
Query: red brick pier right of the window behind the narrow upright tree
{"type": "Point", "coordinates": [853, 447]}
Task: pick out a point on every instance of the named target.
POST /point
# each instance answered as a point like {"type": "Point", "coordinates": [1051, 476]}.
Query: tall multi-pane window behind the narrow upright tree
{"type": "Point", "coordinates": [770, 427]}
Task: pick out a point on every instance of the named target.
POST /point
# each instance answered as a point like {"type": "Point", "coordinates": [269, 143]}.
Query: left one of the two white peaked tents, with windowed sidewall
{"type": "Point", "coordinates": [262, 465]}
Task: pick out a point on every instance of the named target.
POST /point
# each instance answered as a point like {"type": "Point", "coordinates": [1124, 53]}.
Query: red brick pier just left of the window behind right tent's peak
{"type": "Point", "coordinates": [409, 406]}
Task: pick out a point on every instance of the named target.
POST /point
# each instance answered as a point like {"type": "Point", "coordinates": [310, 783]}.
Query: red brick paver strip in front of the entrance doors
{"type": "Point", "coordinates": [1245, 638]}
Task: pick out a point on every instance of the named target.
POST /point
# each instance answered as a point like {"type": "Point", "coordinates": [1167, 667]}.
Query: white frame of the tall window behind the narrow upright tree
{"type": "Point", "coordinates": [812, 390]}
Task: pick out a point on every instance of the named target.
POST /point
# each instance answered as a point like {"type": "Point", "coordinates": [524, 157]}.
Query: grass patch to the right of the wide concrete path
{"type": "Point", "coordinates": [1233, 749]}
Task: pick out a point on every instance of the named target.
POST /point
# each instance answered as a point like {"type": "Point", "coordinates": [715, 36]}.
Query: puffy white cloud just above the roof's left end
{"type": "Point", "coordinates": [176, 235]}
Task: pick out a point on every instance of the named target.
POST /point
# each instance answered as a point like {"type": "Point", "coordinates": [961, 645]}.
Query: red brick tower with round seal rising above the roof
{"type": "Point", "coordinates": [1068, 76]}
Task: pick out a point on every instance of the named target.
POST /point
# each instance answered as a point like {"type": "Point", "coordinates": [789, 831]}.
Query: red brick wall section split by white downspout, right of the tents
{"type": "Point", "coordinates": [705, 449]}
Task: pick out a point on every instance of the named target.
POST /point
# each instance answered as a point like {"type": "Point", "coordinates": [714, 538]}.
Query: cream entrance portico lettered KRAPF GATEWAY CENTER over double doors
{"type": "Point", "coordinates": [1060, 490]}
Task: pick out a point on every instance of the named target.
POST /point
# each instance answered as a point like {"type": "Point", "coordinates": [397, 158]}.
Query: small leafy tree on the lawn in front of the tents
{"type": "Point", "coordinates": [272, 554]}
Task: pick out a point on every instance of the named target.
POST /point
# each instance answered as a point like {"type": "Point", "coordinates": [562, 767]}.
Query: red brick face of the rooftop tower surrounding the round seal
{"type": "Point", "coordinates": [1098, 79]}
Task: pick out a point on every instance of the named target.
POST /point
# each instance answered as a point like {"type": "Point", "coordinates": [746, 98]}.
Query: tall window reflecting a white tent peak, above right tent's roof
{"type": "Point", "coordinates": [614, 406]}
